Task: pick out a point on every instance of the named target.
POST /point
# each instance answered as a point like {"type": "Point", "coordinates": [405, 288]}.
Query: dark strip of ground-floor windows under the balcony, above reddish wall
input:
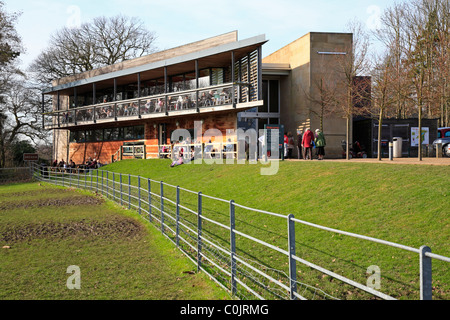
{"type": "Point", "coordinates": [109, 134]}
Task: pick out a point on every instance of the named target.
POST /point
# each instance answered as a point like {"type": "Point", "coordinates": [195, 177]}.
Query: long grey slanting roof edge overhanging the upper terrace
{"type": "Point", "coordinates": [240, 47]}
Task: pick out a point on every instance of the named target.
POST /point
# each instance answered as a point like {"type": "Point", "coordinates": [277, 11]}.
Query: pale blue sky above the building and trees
{"type": "Point", "coordinates": [177, 22]}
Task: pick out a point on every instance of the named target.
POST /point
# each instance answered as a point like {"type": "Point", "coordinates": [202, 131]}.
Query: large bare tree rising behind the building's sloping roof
{"type": "Point", "coordinates": [104, 41]}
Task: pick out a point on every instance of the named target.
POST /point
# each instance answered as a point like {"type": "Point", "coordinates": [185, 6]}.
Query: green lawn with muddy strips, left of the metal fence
{"type": "Point", "coordinates": [120, 256]}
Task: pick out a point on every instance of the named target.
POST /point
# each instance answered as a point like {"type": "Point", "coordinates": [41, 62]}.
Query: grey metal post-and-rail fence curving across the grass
{"type": "Point", "coordinates": [206, 230]}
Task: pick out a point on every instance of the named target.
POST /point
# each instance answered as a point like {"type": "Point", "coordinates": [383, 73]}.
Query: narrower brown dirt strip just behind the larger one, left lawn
{"type": "Point", "coordinates": [69, 201]}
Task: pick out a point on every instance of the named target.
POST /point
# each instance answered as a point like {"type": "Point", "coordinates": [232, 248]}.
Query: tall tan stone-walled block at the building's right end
{"type": "Point", "coordinates": [300, 90]}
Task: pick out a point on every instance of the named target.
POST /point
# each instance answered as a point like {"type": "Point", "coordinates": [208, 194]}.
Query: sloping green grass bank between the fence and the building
{"type": "Point", "coordinates": [406, 204]}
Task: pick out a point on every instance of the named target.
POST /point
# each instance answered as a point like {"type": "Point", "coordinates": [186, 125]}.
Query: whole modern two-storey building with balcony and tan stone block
{"type": "Point", "coordinates": [132, 108]}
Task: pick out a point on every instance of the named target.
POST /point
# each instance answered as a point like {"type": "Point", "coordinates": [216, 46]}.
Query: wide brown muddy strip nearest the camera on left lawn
{"type": "Point", "coordinates": [113, 228]}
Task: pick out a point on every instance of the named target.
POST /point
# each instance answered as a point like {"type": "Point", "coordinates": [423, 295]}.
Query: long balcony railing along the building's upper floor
{"type": "Point", "coordinates": [163, 104]}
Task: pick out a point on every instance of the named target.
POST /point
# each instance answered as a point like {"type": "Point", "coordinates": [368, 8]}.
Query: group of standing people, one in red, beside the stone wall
{"type": "Point", "coordinates": [306, 142]}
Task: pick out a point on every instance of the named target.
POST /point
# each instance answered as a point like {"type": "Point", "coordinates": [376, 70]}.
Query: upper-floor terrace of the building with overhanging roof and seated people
{"type": "Point", "coordinates": [219, 77]}
